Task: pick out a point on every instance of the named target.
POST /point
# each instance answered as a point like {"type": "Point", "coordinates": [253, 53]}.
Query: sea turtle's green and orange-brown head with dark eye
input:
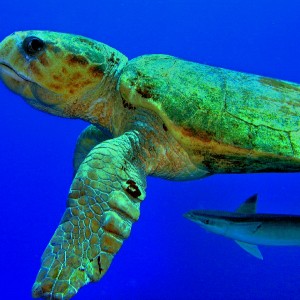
{"type": "Point", "coordinates": [59, 73]}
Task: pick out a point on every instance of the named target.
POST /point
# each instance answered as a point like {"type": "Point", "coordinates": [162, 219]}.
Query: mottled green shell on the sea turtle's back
{"type": "Point", "coordinates": [200, 102]}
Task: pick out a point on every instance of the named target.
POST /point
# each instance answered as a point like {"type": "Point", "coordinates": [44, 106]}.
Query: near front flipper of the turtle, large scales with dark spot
{"type": "Point", "coordinates": [104, 201]}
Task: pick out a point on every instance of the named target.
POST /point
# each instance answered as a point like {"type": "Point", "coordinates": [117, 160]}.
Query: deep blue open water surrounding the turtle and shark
{"type": "Point", "coordinates": [166, 256]}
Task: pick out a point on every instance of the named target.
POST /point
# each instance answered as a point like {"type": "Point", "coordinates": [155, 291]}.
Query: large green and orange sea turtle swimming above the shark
{"type": "Point", "coordinates": [153, 115]}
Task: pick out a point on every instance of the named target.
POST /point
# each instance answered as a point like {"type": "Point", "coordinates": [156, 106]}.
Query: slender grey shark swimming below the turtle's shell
{"type": "Point", "coordinates": [248, 228]}
